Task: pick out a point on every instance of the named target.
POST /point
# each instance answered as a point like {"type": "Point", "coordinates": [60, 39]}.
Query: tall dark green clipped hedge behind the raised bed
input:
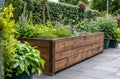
{"type": "Point", "coordinates": [60, 12]}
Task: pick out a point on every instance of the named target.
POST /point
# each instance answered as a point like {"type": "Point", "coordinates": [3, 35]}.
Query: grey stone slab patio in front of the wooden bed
{"type": "Point", "coordinates": [103, 66]}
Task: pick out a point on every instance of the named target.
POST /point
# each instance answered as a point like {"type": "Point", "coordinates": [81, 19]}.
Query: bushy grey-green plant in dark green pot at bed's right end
{"type": "Point", "coordinates": [107, 25]}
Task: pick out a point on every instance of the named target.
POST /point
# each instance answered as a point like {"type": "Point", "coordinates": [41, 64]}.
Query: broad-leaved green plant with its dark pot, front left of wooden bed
{"type": "Point", "coordinates": [24, 63]}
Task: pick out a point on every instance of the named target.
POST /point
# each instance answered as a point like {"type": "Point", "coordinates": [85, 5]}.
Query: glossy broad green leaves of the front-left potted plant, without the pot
{"type": "Point", "coordinates": [27, 59]}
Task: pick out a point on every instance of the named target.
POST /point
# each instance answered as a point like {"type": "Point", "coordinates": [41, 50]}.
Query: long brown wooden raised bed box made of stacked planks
{"type": "Point", "coordinates": [63, 52]}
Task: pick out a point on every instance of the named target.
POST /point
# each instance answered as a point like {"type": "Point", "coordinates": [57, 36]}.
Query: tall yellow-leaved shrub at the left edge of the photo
{"type": "Point", "coordinates": [7, 37]}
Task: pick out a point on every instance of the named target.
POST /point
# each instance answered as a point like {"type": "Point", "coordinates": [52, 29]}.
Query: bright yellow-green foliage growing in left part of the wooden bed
{"type": "Point", "coordinates": [44, 31]}
